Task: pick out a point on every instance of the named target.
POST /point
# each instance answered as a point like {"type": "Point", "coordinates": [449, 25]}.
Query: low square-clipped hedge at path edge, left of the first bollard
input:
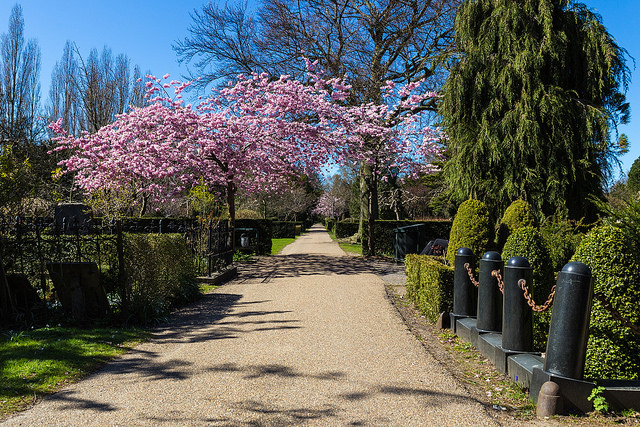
{"type": "Point", "coordinates": [429, 284]}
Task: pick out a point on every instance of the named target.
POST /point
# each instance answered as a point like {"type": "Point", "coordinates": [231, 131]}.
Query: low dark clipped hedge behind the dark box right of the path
{"type": "Point", "coordinates": [385, 237]}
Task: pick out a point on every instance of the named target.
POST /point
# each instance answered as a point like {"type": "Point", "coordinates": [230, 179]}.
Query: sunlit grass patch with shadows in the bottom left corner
{"type": "Point", "coordinates": [39, 362]}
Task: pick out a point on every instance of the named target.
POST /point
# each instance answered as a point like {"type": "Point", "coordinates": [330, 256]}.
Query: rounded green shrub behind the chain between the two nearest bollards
{"type": "Point", "coordinates": [529, 243]}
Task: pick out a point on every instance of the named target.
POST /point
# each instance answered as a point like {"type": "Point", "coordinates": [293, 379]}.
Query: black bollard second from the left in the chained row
{"type": "Point", "coordinates": [489, 296]}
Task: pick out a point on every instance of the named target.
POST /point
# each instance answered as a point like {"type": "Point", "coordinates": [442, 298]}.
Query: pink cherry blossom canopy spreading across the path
{"type": "Point", "coordinates": [249, 136]}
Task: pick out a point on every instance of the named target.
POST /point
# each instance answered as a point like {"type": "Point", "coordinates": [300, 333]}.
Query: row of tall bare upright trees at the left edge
{"type": "Point", "coordinates": [85, 93]}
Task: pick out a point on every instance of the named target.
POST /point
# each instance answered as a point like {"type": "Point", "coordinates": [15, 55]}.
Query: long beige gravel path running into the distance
{"type": "Point", "coordinates": [306, 337]}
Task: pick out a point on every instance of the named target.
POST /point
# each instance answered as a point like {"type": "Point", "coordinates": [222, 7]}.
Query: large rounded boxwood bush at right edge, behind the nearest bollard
{"type": "Point", "coordinates": [613, 351]}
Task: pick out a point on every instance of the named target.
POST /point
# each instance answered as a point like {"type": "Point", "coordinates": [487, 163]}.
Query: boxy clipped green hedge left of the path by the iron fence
{"type": "Point", "coordinates": [160, 275]}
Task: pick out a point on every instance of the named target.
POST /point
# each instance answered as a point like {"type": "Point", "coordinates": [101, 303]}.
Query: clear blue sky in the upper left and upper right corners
{"type": "Point", "coordinates": [145, 31]}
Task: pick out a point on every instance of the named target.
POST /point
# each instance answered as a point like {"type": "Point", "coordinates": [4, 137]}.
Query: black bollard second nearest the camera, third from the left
{"type": "Point", "coordinates": [517, 317]}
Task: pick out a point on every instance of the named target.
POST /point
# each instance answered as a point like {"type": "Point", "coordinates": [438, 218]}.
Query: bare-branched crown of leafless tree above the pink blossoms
{"type": "Point", "coordinates": [367, 42]}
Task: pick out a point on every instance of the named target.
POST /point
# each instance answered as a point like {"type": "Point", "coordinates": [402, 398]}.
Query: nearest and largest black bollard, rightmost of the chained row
{"type": "Point", "coordinates": [569, 330]}
